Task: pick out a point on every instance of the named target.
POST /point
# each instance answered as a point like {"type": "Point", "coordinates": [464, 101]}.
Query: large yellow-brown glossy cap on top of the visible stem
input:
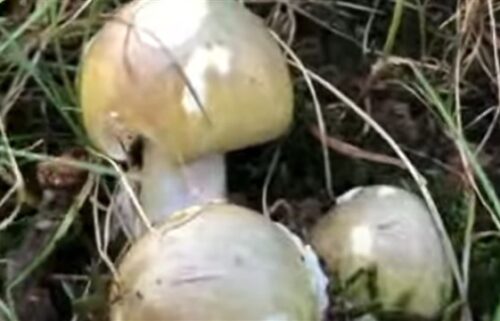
{"type": "Point", "coordinates": [133, 76]}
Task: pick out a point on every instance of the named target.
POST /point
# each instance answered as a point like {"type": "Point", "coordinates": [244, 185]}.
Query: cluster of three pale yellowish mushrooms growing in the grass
{"type": "Point", "coordinates": [194, 79]}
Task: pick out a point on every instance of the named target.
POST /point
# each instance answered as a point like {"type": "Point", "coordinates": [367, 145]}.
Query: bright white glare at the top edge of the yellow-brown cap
{"type": "Point", "coordinates": [169, 23]}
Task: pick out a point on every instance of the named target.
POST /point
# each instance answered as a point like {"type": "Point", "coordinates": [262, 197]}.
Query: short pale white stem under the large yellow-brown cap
{"type": "Point", "coordinates": [168, 186]}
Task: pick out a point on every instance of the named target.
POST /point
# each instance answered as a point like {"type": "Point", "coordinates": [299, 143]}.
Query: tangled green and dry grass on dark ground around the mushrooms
{"type": "Point", "coordinates": [363, 70]}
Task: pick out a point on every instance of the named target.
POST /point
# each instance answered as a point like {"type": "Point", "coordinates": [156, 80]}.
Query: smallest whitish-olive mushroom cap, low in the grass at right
{"type": "Point", "coordinates": [382, 241]}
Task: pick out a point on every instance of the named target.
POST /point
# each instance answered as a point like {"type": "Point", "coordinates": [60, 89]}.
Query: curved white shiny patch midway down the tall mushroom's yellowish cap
{"type": "Point", "coordinates": [214, 58]}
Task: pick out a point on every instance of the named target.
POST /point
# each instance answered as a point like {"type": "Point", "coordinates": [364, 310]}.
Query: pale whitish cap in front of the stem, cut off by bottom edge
{"type": "Point", "coordinates": [223, 262]}
